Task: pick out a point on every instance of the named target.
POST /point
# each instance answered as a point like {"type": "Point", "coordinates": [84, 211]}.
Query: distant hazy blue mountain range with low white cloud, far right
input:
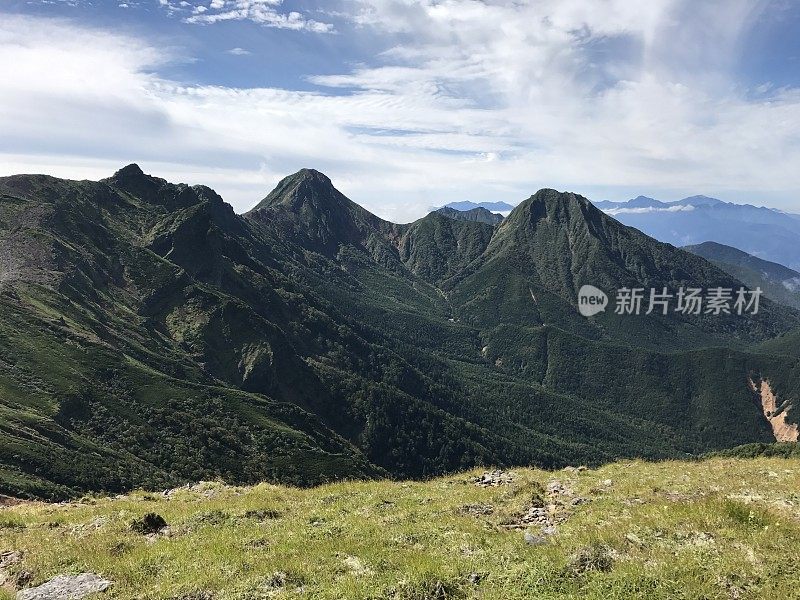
{"type": "Point", "coordinates": [765, 233]}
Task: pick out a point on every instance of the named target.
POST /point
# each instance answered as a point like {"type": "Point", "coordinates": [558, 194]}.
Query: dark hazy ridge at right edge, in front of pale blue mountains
{"type": "Point", "coordinates": [779, 283]}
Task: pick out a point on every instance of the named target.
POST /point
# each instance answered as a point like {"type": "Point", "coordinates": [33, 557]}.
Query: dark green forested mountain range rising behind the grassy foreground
{"type": "Point", "coordinates": [150, 336]}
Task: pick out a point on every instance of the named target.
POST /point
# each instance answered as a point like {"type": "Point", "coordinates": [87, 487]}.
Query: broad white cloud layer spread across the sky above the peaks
{"type": "Point", "coordinates": [476, 100]}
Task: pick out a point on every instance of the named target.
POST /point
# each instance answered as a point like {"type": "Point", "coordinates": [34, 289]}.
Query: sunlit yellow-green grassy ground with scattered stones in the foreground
{"type": "Point", "coordinates": [720, 528]}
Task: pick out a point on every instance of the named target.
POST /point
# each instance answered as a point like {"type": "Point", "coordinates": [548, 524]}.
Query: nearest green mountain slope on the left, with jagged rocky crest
{"type": "Point", "coordinates": [107, 363]}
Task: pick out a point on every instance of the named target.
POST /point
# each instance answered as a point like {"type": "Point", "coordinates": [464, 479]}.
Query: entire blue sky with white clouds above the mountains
{"type": "Point", "coordinates": [410, 104]}
